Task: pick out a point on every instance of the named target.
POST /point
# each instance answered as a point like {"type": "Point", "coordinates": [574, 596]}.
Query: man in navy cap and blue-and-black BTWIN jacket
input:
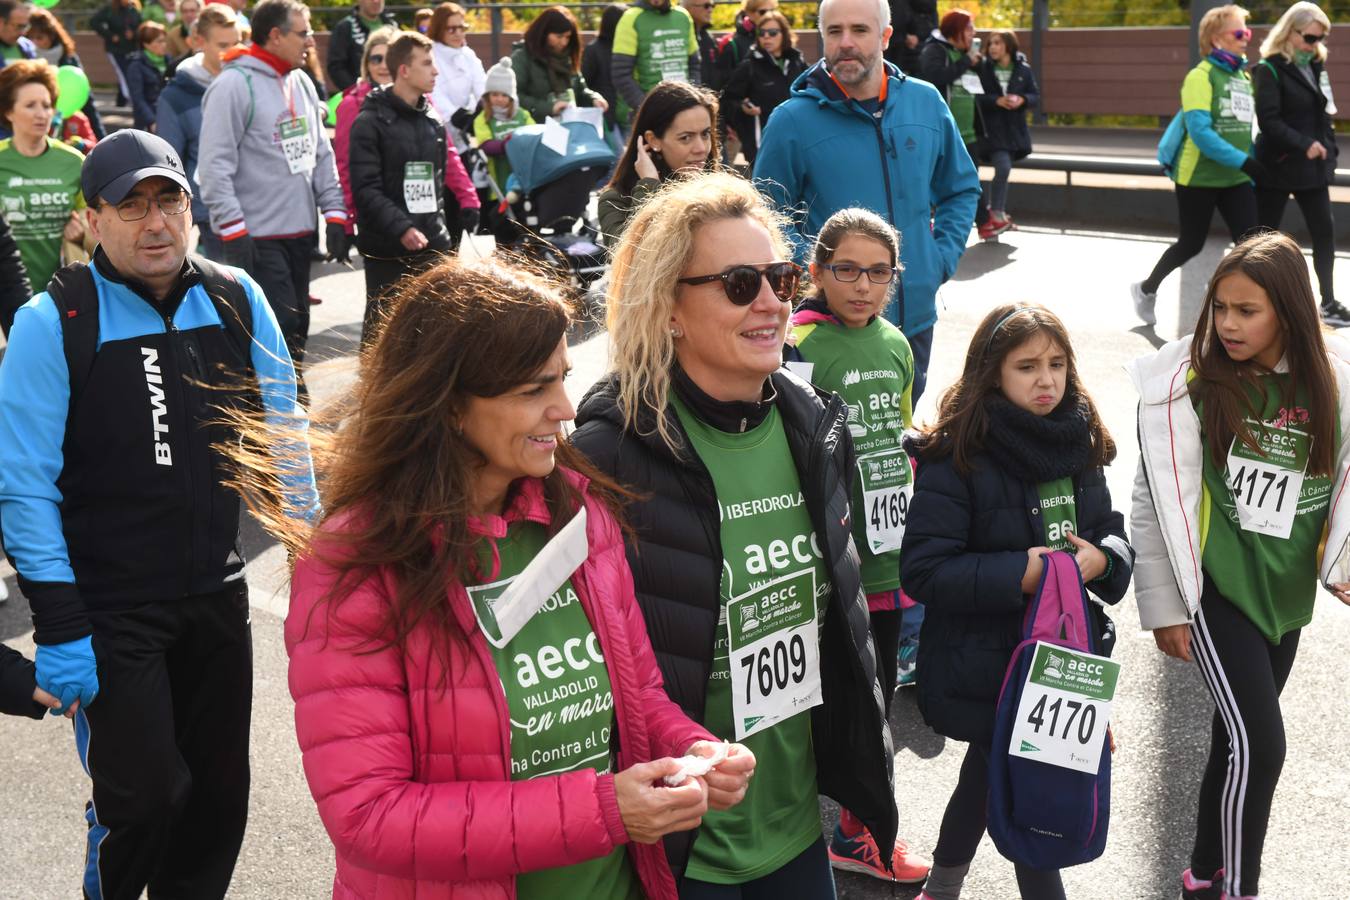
{"type": "Point", "coordinates": [115, 395]}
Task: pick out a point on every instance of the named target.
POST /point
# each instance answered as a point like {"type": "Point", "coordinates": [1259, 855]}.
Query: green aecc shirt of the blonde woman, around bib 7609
{"type": "Point", "coordinates": [766, 532]}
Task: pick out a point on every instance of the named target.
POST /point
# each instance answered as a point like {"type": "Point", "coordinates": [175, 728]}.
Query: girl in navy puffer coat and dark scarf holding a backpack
{"type": "Point", "coordinates": [1010, 472]}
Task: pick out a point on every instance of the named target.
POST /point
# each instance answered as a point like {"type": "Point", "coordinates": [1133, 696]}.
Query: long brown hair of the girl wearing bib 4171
{"type": "Point", "coordinates": [1274, 262]}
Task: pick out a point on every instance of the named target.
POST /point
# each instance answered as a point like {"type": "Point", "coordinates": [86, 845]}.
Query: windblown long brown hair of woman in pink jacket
{"type": "Point", "coordinates": [398, 474]}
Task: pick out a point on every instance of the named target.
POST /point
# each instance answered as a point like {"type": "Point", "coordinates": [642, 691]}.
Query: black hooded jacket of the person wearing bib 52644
{"type": "Point", "coordinates": [385, 137]}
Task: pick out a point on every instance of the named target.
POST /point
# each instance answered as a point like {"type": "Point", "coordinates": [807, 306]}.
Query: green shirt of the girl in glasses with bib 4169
{"type": "Point", "coordinates": [873, 370]}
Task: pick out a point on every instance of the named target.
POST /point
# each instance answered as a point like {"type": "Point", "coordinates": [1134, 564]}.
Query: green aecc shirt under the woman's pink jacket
{"type": "Point", "coordinates": [562, 710]}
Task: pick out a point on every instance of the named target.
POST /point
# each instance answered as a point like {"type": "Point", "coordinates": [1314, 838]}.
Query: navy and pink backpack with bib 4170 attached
{"type": "Point", "coordinates": [1044, 816]}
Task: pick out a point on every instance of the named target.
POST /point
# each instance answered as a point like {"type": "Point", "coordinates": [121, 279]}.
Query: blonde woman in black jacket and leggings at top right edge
{"type": "Point", "coordinates": [1298, 144]}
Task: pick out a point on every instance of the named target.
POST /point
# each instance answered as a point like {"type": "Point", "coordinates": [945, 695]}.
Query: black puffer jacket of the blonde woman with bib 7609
{"type": "Point", "coordinates": [677, 561]}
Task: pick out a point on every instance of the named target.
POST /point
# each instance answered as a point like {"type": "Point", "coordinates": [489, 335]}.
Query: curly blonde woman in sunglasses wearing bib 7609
{"type": "Point", "coordinates": [747, 581]}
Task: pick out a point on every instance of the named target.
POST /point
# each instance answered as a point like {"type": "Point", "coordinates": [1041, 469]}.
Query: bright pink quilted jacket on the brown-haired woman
{"type": "Point", "coordinates": [412, 778]}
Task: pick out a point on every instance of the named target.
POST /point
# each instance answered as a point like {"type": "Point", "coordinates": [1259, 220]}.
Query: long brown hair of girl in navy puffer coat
{"type": "Point", "coordinates": [963, 423]}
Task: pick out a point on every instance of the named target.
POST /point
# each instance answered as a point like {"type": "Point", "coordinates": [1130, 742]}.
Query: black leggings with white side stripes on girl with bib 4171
{"type": "Point", "coordinates": [1245, 675]}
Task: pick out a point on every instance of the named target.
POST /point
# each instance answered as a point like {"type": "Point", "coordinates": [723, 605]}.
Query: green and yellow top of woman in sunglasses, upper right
{"type": "Point", "coordinates": [1228, 98]}
